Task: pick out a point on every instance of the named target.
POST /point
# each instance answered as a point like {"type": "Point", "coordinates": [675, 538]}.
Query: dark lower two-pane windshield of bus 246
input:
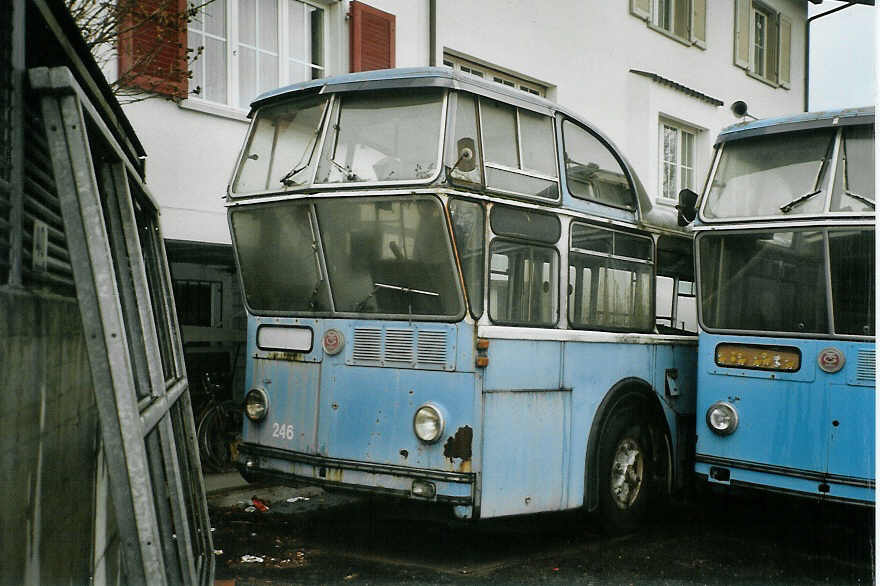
{"type": "Point", "coordinates": [383, 256]}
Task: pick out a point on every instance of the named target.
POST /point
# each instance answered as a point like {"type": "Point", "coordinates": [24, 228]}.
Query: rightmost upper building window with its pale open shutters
{"type": "Point", "coordinates": [763, 42]}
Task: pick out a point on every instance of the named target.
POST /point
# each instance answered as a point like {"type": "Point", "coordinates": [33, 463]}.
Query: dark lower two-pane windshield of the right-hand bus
{"type": "Point", "coordinates": [777, 281]}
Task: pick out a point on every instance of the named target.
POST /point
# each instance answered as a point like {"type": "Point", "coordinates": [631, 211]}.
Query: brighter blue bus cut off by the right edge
{"type": "Point", "coordinates": [786, 277]}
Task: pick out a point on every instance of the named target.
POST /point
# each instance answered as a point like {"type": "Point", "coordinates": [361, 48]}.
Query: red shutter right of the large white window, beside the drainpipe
{"type": "Point", "coordinates": [372, 38]}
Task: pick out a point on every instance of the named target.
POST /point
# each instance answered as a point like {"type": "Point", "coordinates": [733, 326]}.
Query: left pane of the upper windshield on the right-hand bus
{"type": "Point", "coordinates": [773, 175]}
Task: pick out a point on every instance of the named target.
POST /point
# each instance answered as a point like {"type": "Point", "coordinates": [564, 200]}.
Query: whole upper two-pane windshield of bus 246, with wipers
{"type": "Point", "coordinates": [383, 137]}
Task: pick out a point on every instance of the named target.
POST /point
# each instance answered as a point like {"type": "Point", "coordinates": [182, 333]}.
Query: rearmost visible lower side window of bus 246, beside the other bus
{"type": "Point", "coordinates": [675, 301]}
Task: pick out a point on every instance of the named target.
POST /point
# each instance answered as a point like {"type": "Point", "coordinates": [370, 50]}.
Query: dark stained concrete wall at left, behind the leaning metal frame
{"type": "Point", "coordinates": [52, 488]}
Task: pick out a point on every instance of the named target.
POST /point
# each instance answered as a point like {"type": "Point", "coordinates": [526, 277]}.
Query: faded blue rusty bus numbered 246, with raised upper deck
{"type": "Point", "coordinates": [452, 295]}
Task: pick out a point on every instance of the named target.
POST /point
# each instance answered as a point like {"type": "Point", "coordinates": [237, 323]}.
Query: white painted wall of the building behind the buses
{"type": "Point", "coordinates": [583, 49]}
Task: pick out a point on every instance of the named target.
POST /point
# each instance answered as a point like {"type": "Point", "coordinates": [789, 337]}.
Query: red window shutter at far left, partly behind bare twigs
{"type": "Point", "coordinates": [152, 46]}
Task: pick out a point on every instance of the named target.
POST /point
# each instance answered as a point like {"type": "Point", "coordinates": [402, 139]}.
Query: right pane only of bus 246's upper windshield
{"type": "Point", "coordinates": [383, 137]}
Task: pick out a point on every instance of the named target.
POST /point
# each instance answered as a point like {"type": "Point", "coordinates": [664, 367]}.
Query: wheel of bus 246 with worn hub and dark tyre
{"type": "Point", "coordinates": [625, 472]}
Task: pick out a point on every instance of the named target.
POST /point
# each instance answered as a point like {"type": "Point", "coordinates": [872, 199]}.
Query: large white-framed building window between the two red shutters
{"type": "Point", "coordinates": [246, 47]}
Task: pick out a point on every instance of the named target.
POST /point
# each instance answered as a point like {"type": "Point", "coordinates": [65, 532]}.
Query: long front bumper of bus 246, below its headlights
{"type": "Point", "coordinates": [454, 488]}
